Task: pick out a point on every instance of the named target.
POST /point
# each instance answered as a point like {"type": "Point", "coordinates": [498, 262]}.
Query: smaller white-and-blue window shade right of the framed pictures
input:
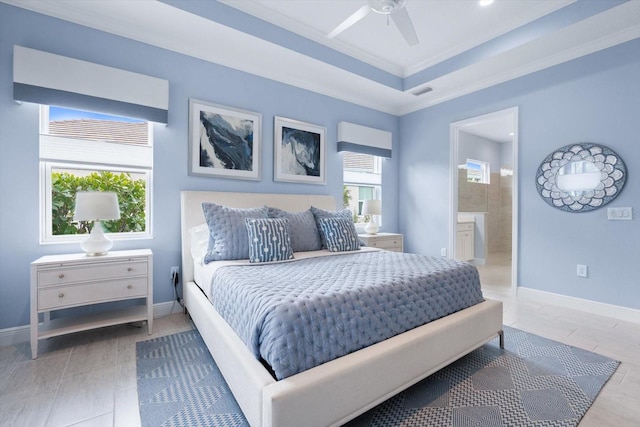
{"type": "Point", "coordinates": [363, 140]}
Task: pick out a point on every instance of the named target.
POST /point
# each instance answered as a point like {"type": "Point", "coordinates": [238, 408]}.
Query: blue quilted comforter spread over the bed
{"type": "Point", "coordinates": [297, 315]}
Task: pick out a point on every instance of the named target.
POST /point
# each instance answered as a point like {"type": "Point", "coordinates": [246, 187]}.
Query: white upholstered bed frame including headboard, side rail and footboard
{"type": "Point", "coordinates": [335, 392]}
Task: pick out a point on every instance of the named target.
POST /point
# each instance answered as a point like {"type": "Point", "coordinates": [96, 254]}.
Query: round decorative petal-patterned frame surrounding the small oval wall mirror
{"type": "Point", "coordinates": [607, 161]}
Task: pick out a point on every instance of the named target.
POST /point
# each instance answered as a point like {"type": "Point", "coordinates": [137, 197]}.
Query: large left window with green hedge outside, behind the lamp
{"type": "Point", "coordinates": [87, 151]}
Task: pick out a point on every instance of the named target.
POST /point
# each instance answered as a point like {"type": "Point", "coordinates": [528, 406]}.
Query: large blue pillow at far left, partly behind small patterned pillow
{"type": "Point", "coordinates": [227, 231]}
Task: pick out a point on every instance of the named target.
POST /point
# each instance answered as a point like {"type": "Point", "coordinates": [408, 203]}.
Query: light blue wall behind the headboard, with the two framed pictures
{"type": "Point", "coordinates": [188, 78]}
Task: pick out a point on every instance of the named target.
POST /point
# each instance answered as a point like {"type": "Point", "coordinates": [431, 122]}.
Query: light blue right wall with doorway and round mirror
{"type": "Point", "coordinates": [592, 99]}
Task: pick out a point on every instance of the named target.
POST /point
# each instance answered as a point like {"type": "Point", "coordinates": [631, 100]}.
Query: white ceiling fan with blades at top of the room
{"type": "Point", "coordinates": [393, 8]}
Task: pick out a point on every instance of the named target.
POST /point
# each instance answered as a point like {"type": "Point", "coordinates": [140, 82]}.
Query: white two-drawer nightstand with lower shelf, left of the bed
{"type": "Point", "coordinates": [64, 281]}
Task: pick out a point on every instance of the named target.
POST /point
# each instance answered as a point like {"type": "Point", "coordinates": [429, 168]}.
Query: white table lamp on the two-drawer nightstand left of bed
{"type": "Point", "coordinates": [96, 206]}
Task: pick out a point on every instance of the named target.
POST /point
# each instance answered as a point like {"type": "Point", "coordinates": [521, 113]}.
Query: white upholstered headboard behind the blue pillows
{"type": "Point", "coordinates": [191, 212]}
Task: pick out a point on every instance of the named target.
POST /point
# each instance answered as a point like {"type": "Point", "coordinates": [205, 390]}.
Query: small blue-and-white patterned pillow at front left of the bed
{"type": "Point", "coordinates": [269, 239]}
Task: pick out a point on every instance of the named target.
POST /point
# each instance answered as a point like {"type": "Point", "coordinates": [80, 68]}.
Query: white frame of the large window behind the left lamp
{"type": "Point", "coordinates": [142, 155]}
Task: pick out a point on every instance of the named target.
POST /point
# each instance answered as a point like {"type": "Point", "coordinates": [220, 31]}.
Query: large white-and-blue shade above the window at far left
{"type": "Point", "coordinates": [49, 79]}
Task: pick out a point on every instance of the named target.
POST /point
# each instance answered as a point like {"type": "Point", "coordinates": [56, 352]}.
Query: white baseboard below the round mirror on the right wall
{"type": "Point", "coordinates": [603, 309]}
